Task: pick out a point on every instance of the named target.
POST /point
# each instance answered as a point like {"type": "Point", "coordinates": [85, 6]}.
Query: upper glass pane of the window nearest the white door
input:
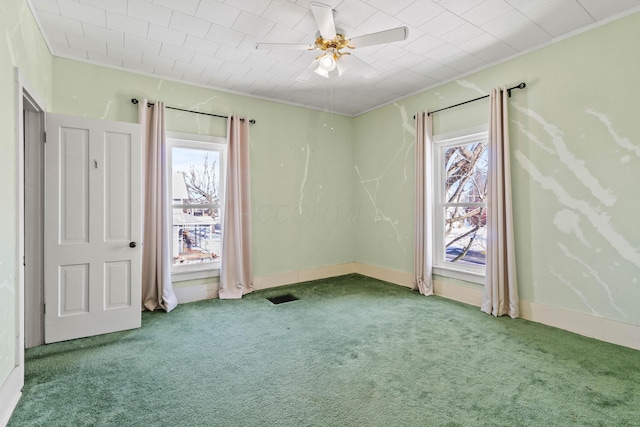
{"type": "Point", "coordinates": [196, 176]}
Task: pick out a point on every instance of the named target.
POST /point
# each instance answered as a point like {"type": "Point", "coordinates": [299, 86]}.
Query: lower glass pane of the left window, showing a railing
{"type": "Point", "coordinates": [196, 238]}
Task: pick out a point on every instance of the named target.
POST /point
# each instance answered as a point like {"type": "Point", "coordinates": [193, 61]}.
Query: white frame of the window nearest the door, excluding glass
{"type": "Point", "coordinates": [202, 142]}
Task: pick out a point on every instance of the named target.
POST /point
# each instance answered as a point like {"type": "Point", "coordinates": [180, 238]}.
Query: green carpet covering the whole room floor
{"type": "Point", "coordinates": [352, 351]}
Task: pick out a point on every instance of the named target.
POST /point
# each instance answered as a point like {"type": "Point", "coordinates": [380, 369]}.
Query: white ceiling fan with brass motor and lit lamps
{"type": "Point", "coordinates": [331, 42]}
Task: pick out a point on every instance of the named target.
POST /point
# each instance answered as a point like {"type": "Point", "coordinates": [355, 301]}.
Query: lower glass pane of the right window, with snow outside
{"type": "Point", "coordinates": [465, 235]}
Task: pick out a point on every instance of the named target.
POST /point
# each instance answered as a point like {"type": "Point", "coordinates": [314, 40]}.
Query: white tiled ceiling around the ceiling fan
{"type": "Point", "coordinates": [212, 42]}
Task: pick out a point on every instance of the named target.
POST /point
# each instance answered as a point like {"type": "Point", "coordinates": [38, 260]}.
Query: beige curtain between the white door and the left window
{"type": "Point", "coordinates": [157, 291]}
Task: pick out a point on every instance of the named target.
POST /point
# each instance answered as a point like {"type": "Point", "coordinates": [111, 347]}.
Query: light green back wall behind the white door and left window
{"type": "Point", "coordinates": [301, 170]}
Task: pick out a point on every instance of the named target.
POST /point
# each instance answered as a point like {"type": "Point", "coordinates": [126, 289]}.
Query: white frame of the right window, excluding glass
{"type": "Point", "coordinates": [465, 272]}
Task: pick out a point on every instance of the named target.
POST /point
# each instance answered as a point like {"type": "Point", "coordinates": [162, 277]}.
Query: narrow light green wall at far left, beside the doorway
{"type": "Point", "coordinates": [21, 46]}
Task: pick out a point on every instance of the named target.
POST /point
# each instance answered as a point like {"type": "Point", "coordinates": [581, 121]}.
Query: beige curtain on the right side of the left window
{"type": "Point", "coordinates": [236, 276]}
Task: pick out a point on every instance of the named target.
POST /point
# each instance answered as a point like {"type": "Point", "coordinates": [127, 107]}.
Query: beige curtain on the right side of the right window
{"type": "Point", "coordinates": [501, 287]}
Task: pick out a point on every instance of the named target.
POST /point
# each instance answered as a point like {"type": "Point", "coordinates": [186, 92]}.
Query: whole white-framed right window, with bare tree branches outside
{"type": "Point", "coordinates": [460, 205]}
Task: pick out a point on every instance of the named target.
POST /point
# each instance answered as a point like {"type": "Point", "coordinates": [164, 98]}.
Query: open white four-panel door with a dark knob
{"type": "Point", "coordinates": [93, 227]}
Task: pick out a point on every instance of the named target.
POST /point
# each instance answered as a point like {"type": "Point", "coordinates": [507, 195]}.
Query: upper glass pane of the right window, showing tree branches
{"type": "Point", "coordinates": [465, 169]}
